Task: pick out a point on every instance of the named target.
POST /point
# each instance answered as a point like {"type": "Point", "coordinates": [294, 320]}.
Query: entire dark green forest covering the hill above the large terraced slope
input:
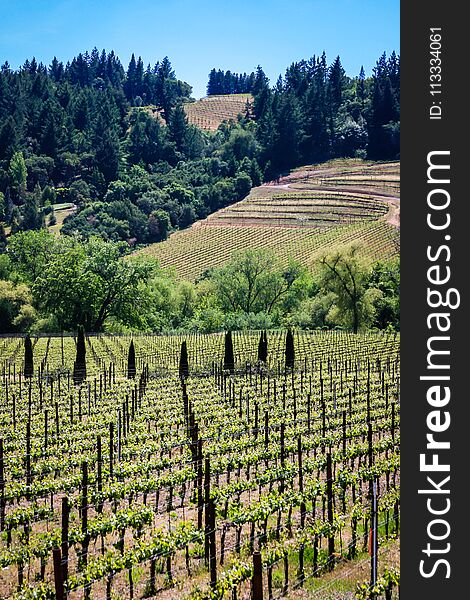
{"type": "Point", "coordinates": [116, 144]}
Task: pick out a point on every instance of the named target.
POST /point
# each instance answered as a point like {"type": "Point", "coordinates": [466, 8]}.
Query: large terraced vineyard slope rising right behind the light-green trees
{"type": "Point", "coordinates": [309, 212]}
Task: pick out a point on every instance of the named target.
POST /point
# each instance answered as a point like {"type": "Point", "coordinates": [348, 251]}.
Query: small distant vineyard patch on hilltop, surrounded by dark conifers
{"type": "Point", "coordinates": [208, 113]}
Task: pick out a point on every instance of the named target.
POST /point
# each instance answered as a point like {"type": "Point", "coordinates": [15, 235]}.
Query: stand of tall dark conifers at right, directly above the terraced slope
{"type": "Point", "coordinates": [315, 112]}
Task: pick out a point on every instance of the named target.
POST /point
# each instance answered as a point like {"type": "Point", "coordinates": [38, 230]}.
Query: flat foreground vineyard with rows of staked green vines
{"type": "Point", "coordinates": [190, 489]}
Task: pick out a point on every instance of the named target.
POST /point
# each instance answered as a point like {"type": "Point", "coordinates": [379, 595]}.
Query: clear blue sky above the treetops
{"type": "Point", "coordinates": [200, 34]}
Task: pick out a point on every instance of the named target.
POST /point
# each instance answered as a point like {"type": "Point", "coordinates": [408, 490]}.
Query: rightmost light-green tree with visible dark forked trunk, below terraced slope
{"type": "Point", "coordinates": [343, 274]}
